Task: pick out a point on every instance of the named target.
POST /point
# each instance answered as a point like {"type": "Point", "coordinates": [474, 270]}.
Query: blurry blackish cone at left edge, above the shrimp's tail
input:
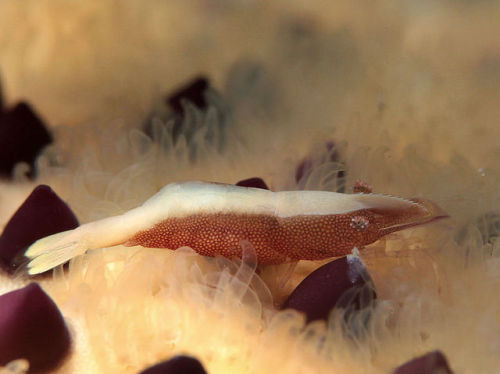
{"type": "Point", "coordinates": [22, 137]}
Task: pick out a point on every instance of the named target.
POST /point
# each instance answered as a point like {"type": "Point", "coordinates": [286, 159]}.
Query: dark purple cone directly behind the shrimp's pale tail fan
{"type": "Point", "coordinates": [43, 213]}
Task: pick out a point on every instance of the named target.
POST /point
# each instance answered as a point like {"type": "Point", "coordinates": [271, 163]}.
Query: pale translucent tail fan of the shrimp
{"type": "Point", "coordinates": [54, 250]}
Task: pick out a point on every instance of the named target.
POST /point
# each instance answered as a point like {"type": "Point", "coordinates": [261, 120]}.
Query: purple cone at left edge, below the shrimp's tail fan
{"type": "Point", "coordinates": [32, 327]}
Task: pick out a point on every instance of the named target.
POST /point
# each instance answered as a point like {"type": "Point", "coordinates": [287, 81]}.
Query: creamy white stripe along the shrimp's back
{"type": "Point", "coordinates": [184, 199]}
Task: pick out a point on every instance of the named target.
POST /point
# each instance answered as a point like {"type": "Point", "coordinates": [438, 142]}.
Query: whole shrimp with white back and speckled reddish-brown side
{"type": "Point", "coordinates": [213, 218]}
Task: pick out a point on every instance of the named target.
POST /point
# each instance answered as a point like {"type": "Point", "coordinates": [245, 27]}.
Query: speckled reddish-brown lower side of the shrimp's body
{"type": "Point", "coordinates": [276, 239]}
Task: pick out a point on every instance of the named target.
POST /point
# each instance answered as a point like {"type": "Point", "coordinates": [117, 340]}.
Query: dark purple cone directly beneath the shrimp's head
{"type": "Point", "coordinates": [342, 283]}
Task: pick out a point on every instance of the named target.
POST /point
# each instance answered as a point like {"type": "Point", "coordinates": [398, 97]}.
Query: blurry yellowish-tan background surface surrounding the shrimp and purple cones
{"type": "Point", "coordinates": [407, 93]}
